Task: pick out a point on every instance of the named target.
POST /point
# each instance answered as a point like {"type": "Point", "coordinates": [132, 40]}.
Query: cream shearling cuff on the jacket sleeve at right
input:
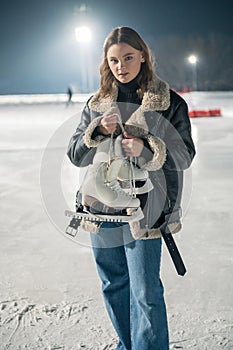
{"type": "Point", "coordinates": [158, 148]}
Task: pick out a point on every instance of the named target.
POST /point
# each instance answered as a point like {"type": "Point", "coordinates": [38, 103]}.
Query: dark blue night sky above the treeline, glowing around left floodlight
{"type": "Point", "coordinates": [39, 53]}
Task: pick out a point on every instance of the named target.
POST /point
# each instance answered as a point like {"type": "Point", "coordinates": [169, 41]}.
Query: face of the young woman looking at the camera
{"type": "Point", "coordinates": [124, 61]}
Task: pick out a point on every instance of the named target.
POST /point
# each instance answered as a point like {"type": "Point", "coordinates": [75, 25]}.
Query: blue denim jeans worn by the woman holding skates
{"type": "Point", "coordinates": [132, 289]}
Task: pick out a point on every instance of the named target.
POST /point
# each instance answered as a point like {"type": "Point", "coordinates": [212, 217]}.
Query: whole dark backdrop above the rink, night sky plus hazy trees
{"type": "Point", "coordinates": [39, 52]}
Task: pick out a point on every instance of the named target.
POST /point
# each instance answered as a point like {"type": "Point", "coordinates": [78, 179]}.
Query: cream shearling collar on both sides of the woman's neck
{"type": "Point", "coordinates": [156, 98]}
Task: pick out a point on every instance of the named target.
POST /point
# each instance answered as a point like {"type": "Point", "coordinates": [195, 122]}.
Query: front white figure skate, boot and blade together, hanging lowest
{"type": "Point", "coordinates": [102, 199]}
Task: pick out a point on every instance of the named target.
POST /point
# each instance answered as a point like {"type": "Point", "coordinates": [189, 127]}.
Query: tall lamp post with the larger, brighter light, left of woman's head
{"type": "Point", "coordinates": [83, 36]}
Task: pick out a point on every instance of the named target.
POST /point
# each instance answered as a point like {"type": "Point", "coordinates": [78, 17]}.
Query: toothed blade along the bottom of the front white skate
{"type": "Point", "coordinates": [135, 216]}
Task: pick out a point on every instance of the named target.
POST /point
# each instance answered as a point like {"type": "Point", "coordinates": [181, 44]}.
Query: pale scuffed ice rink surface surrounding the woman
{"type": "Point", "coordinates": [50, 292]}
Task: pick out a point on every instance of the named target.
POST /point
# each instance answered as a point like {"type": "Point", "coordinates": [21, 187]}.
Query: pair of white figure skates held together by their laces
{"type": "Point", "coordinates": [101, 198]}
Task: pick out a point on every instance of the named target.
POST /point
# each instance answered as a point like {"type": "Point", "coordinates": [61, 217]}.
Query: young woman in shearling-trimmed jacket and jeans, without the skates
{"type": "Point", "coordinates": [157, 133]}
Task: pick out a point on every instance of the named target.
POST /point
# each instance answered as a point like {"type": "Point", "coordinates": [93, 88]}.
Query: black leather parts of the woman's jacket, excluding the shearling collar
{"type": "Point", "coordinates": [172, 127]}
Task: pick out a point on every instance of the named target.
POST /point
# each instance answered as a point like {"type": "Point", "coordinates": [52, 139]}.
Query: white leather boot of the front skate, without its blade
{"type": "Point", "coordinates": [101, 185]}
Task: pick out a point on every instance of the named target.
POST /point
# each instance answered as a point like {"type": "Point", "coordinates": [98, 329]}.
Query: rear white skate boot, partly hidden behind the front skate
{"type": "Point", "coordinates": [128, 172]}
